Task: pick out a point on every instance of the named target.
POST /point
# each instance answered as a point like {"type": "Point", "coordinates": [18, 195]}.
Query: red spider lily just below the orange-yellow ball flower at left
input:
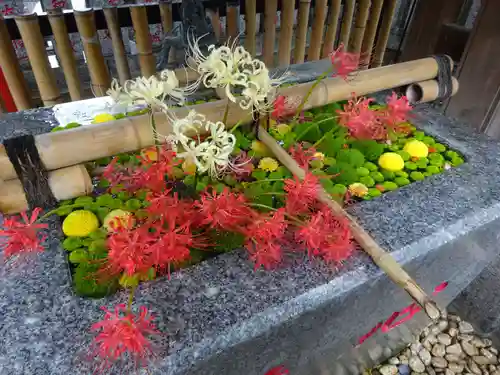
{"type": "Point", "coordinates": [129, 251]}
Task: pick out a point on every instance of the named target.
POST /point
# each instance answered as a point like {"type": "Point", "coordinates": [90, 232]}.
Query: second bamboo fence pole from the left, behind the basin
{"type": "Point", "coordinates": [35, 47]}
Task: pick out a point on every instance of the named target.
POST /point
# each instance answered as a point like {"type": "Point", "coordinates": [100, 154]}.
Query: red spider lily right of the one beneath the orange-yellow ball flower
{"type": "Point", "coordinates": [172, 247]}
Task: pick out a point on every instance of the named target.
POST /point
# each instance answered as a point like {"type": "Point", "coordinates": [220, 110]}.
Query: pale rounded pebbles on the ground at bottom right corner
{"type": "Point", "coordinates": [448, 347]}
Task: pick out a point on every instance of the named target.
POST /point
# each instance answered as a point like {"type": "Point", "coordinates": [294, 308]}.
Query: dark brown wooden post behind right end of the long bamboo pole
{"type": "Point", "coordinates": [425, 27]}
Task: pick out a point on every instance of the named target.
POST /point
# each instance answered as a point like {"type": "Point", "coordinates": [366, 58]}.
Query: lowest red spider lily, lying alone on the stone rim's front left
{"type": "Point", "coordinates": [122, 332]}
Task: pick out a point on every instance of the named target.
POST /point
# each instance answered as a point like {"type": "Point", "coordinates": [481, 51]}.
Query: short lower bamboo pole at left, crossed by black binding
{"type": "Point", "coordinates": [65, 183]}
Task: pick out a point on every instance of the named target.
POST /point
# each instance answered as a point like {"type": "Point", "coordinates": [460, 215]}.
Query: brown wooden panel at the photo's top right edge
{"type": "Point", "coordinates": [478, 100]}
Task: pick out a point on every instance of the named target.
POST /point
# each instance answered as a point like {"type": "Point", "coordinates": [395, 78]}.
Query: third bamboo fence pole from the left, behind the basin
{"type": "Point", "coordinates": [65, 53]}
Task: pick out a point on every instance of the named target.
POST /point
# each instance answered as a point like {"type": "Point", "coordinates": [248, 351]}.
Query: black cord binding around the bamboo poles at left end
{"type": "Point", "coordinates": [23, 155]}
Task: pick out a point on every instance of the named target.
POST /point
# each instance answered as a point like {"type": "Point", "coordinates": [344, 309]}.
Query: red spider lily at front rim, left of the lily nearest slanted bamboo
{"type": "Point", "coordinates": [264, 238]}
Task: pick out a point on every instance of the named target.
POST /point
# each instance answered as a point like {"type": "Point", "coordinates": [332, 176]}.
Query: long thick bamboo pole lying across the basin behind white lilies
{"type": "Point", "coordinates": [87, 143]}
